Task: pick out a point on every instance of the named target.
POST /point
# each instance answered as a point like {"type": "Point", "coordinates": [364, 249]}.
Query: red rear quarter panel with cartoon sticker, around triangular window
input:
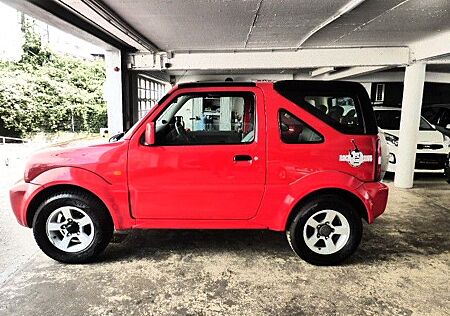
{"type": "Point", "coordinates": [295, 170]}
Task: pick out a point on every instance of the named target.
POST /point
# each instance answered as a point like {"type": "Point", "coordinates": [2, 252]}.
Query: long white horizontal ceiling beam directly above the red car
{"type": "Point", "coordinates": [304, 58]}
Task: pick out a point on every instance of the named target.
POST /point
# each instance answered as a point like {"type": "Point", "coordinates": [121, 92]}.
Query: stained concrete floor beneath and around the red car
{"type": "Point", "coordinates": [401, 268]}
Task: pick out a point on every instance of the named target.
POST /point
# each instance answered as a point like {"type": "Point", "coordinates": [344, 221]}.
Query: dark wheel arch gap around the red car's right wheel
{"type": "Point", "coordinates": [349, 196]}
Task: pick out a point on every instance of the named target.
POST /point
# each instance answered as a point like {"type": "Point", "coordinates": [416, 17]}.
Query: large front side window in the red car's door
{"type": "Point", "coordinates": [206, 119]}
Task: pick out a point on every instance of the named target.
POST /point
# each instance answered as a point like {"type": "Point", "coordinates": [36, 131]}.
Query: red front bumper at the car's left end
{"type": "Point", "coordinates": [20, 195]}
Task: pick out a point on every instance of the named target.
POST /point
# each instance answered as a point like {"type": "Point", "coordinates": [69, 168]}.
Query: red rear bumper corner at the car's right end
{"type": "Point", "coordinates": [375, 195]}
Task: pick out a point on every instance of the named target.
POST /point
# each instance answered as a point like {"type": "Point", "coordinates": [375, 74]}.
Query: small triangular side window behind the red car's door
{"type": "Point", "coordinates": [295, 131]}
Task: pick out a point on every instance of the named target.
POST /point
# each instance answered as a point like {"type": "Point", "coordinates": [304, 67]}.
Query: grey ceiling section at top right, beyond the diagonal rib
{"type": "Point", "coordinates": [387, 23]}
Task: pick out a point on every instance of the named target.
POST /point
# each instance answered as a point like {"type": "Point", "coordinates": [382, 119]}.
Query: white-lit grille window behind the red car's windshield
{"type": "Point", "coordinates": [149, 92]}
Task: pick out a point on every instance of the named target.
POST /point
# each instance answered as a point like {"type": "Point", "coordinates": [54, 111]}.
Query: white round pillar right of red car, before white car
{"type": "Point", "coordinates": [409, 125]}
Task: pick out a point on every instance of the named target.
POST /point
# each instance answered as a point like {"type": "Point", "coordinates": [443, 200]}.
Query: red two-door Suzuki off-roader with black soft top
{"type": "Point", "coordinates": [296, 156]}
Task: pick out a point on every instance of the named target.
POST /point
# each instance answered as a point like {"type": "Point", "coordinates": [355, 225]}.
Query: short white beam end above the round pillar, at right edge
{"type": "Point", "coordinates": [431, 47]}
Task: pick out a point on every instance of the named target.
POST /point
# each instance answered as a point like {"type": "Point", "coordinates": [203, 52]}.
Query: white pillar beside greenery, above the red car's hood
{"type": "Point", "coordinates": [113, 91]}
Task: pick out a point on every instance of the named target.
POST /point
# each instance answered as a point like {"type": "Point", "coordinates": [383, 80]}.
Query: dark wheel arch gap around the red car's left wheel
{"type": "Point", "coordinates": [58, 188]}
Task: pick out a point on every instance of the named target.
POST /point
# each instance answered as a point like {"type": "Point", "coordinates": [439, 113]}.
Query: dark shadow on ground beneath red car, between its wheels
{"type": "Point", "coordinates": [159, 244]}
